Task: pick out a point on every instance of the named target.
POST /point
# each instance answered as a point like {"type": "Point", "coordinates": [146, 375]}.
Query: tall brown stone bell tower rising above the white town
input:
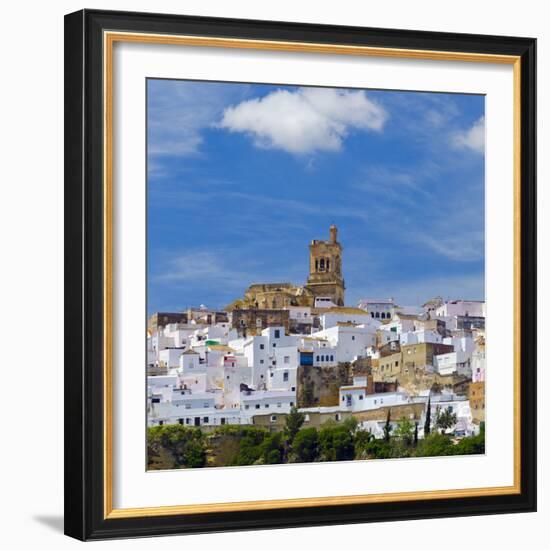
{"type": "Point", "coordinates": [325, 268]}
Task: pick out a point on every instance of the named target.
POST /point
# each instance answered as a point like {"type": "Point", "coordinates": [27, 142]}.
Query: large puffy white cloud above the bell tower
{"type": "Point", "coordinates": [304, 121]}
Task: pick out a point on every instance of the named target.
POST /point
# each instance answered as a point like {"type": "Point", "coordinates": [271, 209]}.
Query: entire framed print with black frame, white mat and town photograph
{"type": "Point", "coordinates": [300, 274]}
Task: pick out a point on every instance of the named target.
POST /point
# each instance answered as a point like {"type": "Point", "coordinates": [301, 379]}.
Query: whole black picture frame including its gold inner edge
{"type": "Point", "coordinates": [90, 161]}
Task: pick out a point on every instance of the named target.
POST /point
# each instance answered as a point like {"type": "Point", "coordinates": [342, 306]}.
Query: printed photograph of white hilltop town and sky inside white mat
{"type": "Point", "coordinates": [315, 274]}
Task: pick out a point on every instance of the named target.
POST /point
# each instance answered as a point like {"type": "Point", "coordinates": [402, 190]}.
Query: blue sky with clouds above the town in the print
{"type": "Point", "coordinates": [241, 177]}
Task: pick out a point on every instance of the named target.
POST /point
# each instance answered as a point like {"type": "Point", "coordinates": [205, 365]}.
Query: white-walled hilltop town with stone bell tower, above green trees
{"type": "Point", "coordinates": [284, 349]}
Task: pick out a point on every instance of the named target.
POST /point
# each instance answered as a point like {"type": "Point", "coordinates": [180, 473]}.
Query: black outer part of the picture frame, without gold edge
{"type": "Point", "coordinates": [84, 275]}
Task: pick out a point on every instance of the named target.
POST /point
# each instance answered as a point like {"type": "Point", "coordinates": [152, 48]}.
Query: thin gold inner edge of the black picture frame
{"type": "Point", "coordinates": [109, 39]}
